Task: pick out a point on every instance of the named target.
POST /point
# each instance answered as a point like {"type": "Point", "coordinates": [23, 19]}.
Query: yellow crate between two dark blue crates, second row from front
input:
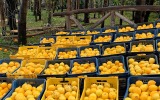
{"type": "Point", "coordinates": [24, 62]}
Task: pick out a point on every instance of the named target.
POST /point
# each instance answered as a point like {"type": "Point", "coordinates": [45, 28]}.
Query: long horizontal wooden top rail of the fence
{"type": "Point", "coordinates": [117, 8]}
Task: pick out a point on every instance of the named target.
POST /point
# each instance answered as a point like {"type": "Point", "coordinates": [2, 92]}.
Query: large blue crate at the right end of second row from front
{"type": "Point", "coordinates": [139, 58]}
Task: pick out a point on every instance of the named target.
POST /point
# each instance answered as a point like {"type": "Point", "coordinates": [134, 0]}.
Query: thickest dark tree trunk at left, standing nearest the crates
{"type": "Point", "coordinates": [22, 23]}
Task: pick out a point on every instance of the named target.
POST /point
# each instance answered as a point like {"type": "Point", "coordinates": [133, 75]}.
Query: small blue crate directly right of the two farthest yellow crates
{"type": "Point", "coordinates": [103, 35]}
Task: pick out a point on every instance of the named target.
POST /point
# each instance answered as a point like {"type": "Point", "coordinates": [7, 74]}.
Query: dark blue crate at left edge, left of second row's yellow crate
{"type": "Point", "coordinates": [7, 61]}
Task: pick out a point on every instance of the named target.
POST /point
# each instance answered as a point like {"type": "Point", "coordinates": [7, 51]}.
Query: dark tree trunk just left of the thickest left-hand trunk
{"type": "Point", "coordinates": [11, 14]}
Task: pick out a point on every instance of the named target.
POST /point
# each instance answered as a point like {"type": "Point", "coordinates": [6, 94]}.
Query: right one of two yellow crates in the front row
{"type": "Point", "coordinates": [99, 80]}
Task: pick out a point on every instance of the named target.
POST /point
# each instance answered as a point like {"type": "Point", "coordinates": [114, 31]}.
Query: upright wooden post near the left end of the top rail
{"type": "Point", "coordinates": [68, 21]}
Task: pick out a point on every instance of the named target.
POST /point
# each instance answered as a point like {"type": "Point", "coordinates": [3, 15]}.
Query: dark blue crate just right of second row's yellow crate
{"type": "Point", "coordinates": [68, 62]}
